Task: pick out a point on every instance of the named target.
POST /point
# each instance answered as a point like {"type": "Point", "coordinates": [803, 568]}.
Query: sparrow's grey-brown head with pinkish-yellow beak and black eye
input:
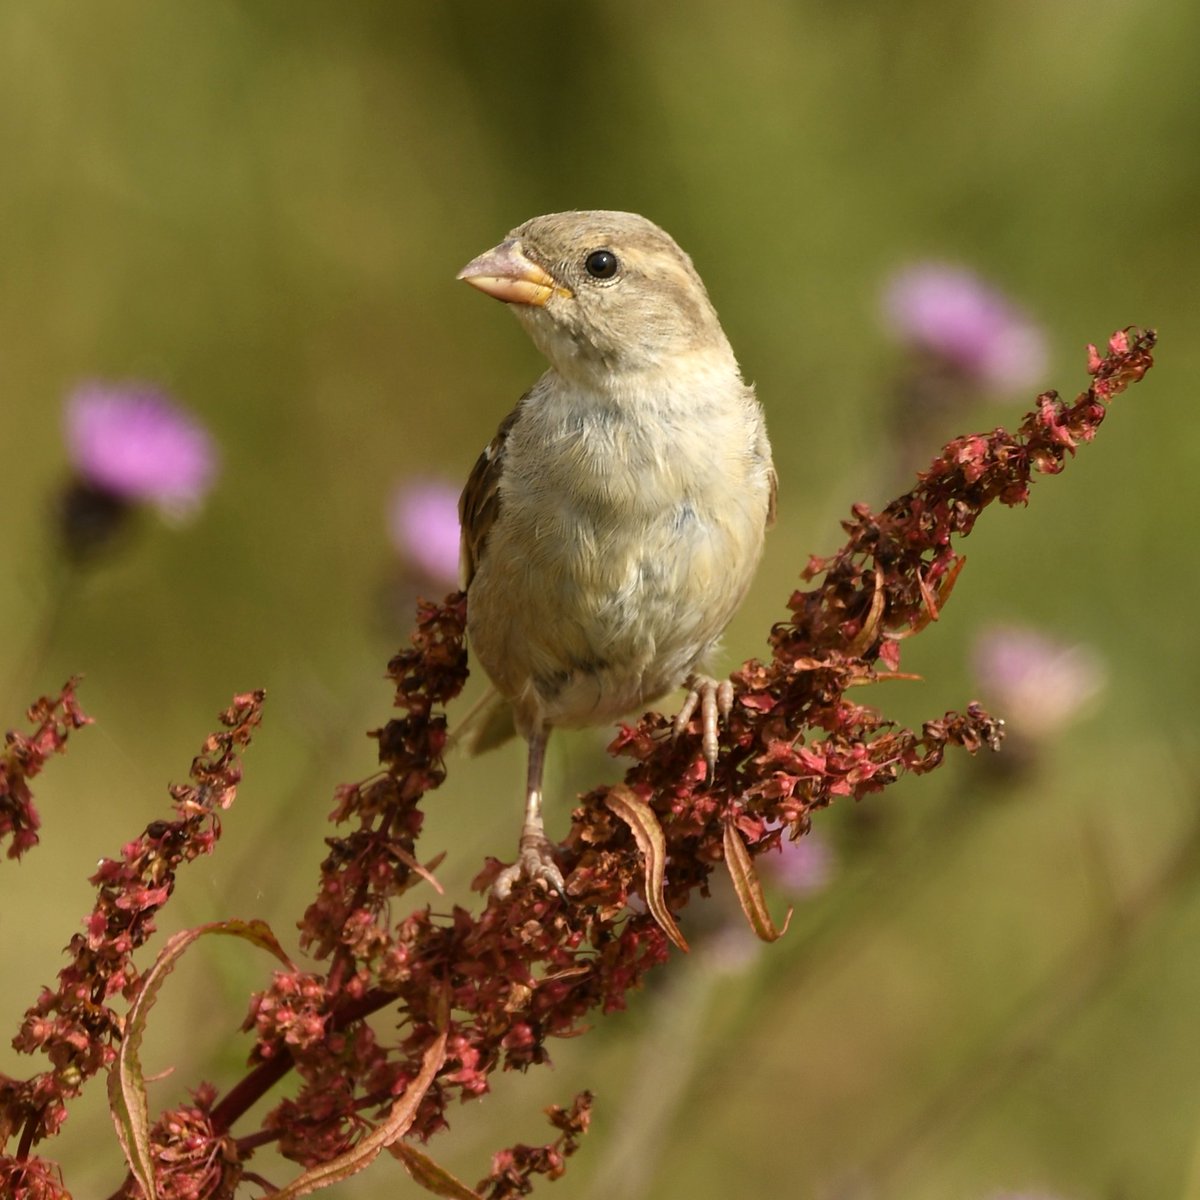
{"type": "Point", "coordinates": [602, 295]}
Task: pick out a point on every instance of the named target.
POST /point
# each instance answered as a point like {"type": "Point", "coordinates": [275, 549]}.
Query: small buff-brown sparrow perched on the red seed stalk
{"type": "Point", "coordinates": [613, 527]}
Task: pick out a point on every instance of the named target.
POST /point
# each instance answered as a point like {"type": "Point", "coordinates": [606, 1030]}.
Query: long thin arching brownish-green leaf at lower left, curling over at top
{"type": "Point", "coordinates": [127, 1082]}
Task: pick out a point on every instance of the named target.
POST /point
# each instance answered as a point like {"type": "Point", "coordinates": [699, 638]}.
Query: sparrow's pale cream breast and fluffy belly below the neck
{"type": "Point", "coordinates": [626, 543]}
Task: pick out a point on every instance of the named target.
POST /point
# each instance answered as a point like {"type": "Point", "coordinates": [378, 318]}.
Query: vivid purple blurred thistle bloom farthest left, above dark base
{"type": "Point", "coordinates": [134, 443]}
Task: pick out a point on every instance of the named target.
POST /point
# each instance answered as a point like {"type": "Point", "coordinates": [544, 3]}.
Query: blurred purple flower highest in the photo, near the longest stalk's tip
{"type": "Point", "coordinates": [952, 314]}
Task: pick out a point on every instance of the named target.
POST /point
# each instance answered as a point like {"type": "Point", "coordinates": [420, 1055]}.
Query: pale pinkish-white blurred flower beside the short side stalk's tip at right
{"type": "Point", "coordinates": [1036, 683]}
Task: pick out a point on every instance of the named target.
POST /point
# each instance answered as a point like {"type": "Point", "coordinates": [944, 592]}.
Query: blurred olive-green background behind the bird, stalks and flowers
{"type": "Point", "coordinates": [262, 207]}
